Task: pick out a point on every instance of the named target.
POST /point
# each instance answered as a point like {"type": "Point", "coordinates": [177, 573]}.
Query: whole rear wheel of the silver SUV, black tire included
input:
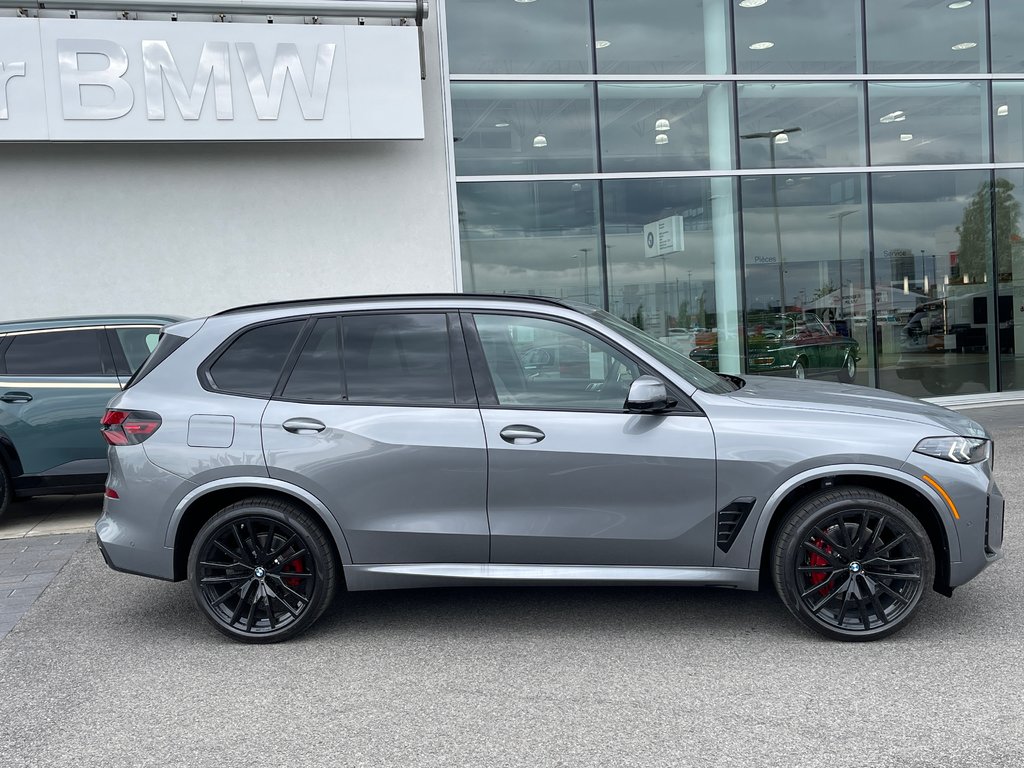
{"type": "Point", "coordinates": [263, 571]}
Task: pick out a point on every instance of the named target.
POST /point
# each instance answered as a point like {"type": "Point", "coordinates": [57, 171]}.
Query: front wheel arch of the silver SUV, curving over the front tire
{"type": "Point", "coordinates": [920, 499]}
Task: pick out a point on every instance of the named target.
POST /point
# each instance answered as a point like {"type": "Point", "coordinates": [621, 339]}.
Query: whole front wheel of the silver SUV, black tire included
{"type": "Point", "coordinates": [852, 565]}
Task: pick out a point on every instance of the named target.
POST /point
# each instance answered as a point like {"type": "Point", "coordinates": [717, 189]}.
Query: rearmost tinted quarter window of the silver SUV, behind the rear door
{"type": "Point", "coordinates": [253, 363]}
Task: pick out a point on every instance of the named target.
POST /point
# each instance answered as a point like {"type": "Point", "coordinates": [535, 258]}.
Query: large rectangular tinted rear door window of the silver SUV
{"type": "Point", "coordinates": [400, 359]}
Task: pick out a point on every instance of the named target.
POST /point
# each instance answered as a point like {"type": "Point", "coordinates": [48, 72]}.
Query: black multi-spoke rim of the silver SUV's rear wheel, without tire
{"type": "Point", "coordinates": [257, 575]}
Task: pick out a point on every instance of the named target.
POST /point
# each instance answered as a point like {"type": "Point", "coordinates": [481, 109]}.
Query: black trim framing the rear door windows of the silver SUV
{"type": "Point", "coordinates": [459, 370]}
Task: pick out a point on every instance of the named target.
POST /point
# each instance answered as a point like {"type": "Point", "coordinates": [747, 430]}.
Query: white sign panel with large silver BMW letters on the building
{"type": "Point", "coordinates": [91, 80]}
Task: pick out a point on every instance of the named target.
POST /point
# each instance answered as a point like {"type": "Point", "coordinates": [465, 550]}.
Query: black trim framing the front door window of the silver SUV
{"type": "Point", "coordinates": [488, 395]}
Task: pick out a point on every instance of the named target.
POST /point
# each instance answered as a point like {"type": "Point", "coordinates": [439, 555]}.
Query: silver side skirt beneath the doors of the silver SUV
{"type": "Point", "coordinates": [389, 577]}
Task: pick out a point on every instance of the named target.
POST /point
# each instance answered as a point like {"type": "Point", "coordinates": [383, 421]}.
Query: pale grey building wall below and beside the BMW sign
{"type": "Point", "coordinates": [193, 229]}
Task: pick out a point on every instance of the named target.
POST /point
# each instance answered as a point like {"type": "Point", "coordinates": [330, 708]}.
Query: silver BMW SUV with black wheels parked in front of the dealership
{"type": "Point", "coordinates": [273, 454]}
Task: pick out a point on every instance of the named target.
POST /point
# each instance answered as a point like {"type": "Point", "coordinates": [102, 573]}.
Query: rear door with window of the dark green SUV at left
{"type": "Point", "coordinates": [55, 386]}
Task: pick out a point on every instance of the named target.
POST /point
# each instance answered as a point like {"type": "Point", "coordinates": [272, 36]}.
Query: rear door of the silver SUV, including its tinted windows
{"type": "Point", "coordinates": [378, 419]}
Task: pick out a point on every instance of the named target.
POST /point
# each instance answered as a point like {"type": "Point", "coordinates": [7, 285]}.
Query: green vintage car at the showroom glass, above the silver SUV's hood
{"type": "Point", "coordinates": [797, 345]}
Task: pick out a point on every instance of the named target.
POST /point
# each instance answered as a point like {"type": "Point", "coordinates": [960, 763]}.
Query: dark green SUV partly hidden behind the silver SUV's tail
{"type": "Point", "coordinates": [56, 379]}
